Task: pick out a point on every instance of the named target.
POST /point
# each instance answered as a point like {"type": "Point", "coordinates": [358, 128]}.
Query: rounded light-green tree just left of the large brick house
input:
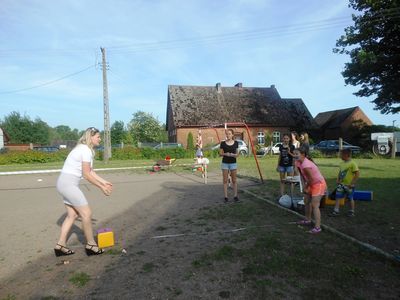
{"type": "Point", "coordinates": [145, 128]}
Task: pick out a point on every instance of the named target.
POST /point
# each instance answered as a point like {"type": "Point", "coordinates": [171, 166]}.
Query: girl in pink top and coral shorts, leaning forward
{"type": "Point", "coordinates": [314, 187]}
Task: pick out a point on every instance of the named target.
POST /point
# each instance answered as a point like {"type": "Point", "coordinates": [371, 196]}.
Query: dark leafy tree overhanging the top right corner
{"type": "Point", "coordinates": [373, 44]}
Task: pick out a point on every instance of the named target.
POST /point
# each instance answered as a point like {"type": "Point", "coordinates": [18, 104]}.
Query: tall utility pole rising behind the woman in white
{"type": "Point", "coordinates": [107, 135]}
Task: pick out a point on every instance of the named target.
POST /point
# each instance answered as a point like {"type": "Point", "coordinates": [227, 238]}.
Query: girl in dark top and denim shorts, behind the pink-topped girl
{"type": "Point", "coordinates": [285, 161]}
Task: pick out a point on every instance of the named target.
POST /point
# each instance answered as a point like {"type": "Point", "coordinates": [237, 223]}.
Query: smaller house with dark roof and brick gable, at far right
{"type": "Point", "coordinates": [339, 123]}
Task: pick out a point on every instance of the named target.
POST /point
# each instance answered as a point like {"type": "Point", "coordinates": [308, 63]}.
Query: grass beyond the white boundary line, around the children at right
{"type": "Point", "coordinates": [376, 221]}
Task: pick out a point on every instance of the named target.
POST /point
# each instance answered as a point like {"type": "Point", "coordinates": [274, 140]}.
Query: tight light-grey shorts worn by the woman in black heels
{"type": "Point", "coordinates": [68, 187]}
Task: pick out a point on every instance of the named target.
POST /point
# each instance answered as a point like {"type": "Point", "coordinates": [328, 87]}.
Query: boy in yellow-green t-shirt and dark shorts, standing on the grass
{"type": "Point", "coordinates": [346, 180]}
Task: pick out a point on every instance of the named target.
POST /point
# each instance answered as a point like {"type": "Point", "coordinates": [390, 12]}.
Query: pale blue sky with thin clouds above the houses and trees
{"type": "Point", "coordinates": [50, 57]}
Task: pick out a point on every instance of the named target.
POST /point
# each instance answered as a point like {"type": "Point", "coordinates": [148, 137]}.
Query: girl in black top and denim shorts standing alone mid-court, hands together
{"type": "Point", "coordinates": [229, 151]}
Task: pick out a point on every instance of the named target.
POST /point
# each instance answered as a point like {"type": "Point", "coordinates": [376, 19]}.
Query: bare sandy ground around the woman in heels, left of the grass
{"type": "Point", "coordinates": [141, 207]}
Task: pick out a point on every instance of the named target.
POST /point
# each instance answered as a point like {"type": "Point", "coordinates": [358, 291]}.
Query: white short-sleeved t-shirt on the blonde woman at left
{"type": "Point", "coordinates": [73, 163]}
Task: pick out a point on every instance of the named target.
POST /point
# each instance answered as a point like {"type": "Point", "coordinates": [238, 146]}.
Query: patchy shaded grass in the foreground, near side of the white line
{"type": "Point", "coordinates": [275, 260]}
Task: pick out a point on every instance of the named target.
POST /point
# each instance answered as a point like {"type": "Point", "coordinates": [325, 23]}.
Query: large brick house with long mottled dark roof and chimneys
{"type": "Point", "coordinates": [209, 108]}
